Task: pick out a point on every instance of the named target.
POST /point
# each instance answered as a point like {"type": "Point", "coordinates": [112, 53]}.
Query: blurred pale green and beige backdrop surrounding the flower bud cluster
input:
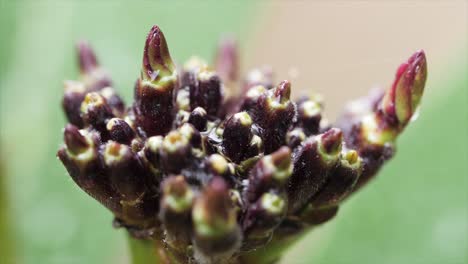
{"type": "Point", "coordinates": [414, 212]}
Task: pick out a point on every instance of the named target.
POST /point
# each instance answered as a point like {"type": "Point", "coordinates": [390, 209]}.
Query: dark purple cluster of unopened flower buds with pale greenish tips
{"type": "Point", "coordinates": [215, 166]}
